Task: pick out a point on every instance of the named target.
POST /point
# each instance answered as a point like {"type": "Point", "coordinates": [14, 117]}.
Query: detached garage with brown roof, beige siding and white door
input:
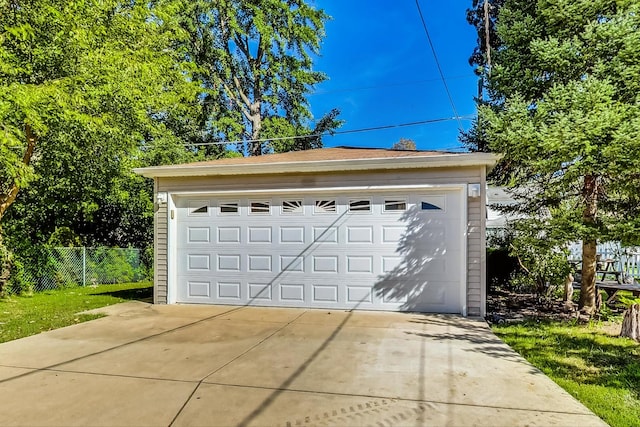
{"type": "Point", "coordinates": [336, 228]}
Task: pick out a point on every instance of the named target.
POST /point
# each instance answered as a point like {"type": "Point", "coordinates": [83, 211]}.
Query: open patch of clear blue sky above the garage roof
{"type": "Point", "coordinates": [382, 71]}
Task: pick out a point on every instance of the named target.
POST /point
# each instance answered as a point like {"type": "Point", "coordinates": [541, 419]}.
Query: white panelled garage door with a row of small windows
{"type": "Point", "coordinates": [391, 251]}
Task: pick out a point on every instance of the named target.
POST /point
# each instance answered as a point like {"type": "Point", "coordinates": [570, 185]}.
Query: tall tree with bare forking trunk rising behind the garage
{"type": "Point", "coordinates": [254, 64]}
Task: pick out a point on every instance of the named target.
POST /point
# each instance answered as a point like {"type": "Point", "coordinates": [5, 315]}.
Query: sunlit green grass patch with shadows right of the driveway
{"type": "Point", "coordinates": [600, 370]}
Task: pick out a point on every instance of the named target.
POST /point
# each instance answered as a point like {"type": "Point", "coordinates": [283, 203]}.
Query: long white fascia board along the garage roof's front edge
{"type": "Point", "coordinates": [211, 169]}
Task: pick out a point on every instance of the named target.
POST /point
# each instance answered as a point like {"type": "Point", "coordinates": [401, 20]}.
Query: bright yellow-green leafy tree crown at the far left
{"type": "Point", "coordinates": [81, 87]}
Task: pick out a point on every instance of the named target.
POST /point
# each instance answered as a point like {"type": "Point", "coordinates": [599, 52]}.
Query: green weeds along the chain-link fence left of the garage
{"type": "Point", "coordinates": [68, 267]}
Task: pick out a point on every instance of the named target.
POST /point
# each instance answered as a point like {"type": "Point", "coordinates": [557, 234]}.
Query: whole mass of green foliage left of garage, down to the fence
{"type": "Point", "coordinates": [84, 85]}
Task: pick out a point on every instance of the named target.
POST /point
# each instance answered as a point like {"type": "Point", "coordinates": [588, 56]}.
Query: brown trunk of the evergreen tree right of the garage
{"type": "Point", "coordinates": [587, 302]}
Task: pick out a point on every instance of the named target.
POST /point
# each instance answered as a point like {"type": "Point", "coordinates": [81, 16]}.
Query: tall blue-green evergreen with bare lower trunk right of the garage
{"type": "Point", "coordinates": [561, 106]}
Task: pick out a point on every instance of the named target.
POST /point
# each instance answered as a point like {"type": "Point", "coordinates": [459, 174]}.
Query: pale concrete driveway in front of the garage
{"type": "Point", "coordinates": [215, 365]}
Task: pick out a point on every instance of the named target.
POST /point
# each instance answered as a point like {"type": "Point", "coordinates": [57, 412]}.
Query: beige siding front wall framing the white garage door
{"type": "Point", "coordinates": [440, 176]}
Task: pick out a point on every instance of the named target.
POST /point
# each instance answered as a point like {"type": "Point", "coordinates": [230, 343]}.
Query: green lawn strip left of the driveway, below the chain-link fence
{"type": "Point", "coordinates": [21, 316]}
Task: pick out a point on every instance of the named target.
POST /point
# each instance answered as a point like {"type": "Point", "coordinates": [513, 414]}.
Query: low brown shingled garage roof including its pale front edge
{"type": "Point", "coordinates": [322, 160]}
